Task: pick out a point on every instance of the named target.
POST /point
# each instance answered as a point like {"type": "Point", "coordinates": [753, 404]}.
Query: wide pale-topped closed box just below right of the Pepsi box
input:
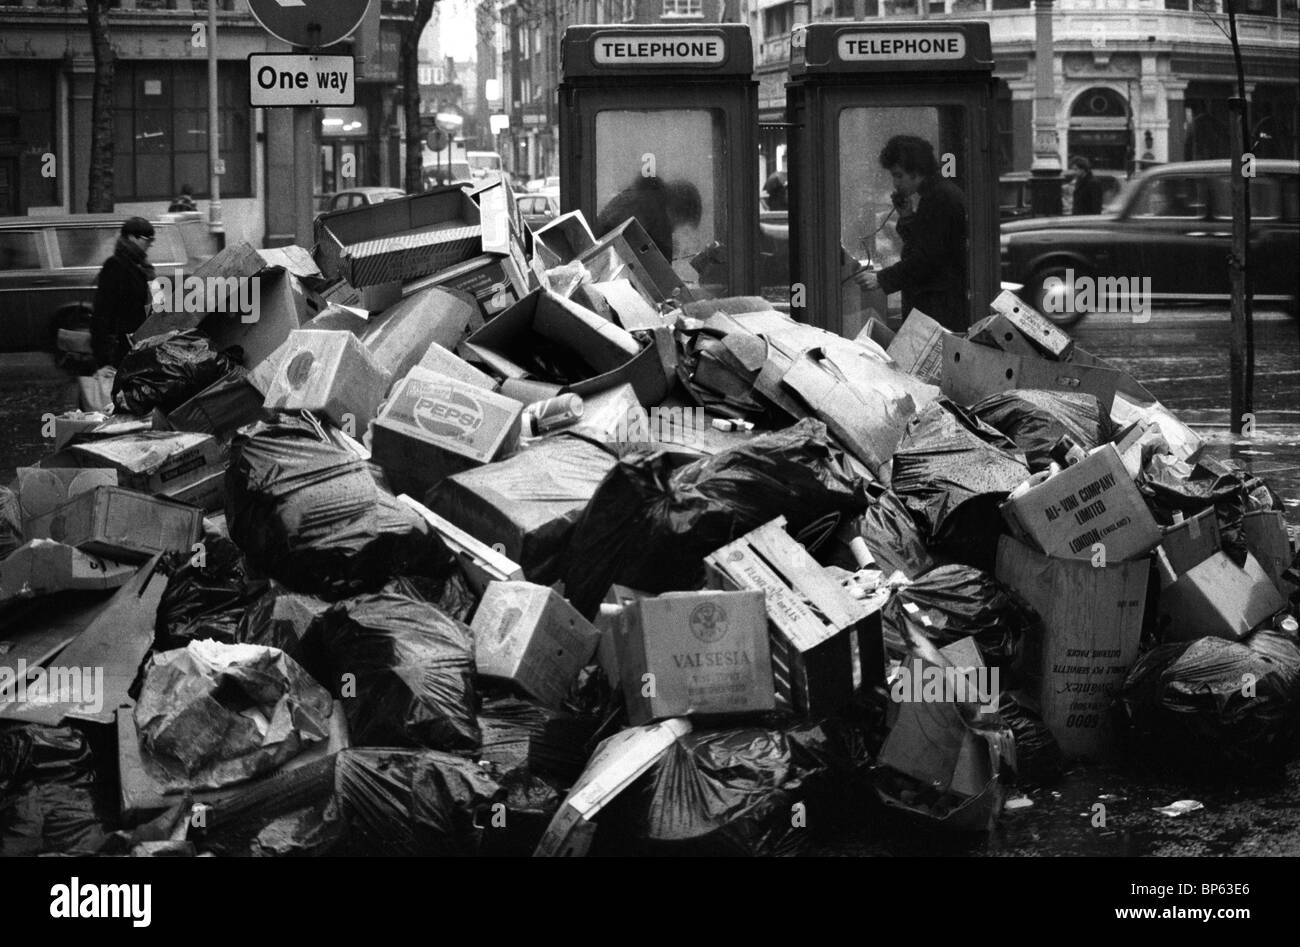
{"type": "Point", "coordinates": [526, 507]}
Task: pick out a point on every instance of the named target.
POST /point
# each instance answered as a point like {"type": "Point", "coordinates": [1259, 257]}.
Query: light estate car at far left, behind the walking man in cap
{"type": "Point", "coordinates": [49, 269]}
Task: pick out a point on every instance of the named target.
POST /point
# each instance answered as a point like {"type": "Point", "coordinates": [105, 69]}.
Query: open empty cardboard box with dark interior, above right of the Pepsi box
{"type": "Point", "coordinates": [609, 354]}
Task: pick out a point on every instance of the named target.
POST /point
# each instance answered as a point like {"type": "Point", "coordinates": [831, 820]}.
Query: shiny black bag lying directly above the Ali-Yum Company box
{"type": "Point", "coordinates": [1038, 420]}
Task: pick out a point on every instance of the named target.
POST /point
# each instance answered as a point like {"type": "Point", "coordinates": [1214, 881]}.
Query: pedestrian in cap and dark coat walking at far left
{"type": "Point", "coordinates": [123, 293]}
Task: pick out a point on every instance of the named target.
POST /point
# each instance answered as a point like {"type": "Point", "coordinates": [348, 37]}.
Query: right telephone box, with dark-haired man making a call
{"type": "Point", "coordinates": [853, 88]}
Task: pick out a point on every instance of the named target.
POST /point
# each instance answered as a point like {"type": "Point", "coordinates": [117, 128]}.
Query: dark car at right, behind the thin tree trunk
{"type": "Point", "coordinates": [1175, 226]}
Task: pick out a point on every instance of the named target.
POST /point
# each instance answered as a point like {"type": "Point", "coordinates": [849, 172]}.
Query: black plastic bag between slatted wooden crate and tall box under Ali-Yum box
{"type": "Point", "coordinates": [955, 602]}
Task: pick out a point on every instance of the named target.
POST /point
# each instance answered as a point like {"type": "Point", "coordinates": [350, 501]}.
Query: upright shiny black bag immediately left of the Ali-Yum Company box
{"type": "Point", "coordinates": [952, 473]}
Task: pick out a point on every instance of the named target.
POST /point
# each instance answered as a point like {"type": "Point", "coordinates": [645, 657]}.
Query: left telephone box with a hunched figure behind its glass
{"type": "Point", "coordinates": [661, 123]}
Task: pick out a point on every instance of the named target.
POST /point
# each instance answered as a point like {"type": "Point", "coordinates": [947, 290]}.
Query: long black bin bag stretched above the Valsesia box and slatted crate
{"type": "Point", "coordinates": [651, 525]}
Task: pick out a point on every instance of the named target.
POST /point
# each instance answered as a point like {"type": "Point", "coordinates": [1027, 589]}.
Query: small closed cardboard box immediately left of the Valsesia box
{"type": "Point", "coordinates": [527, 634]}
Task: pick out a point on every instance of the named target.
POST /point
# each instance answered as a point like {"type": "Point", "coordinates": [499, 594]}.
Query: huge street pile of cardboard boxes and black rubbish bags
{"type": "Point", "coordinates": [486, 542]}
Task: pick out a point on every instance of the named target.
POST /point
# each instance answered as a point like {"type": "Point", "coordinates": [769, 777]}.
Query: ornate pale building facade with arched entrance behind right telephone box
{"type": "Point", "coordinates": [1137, 81]}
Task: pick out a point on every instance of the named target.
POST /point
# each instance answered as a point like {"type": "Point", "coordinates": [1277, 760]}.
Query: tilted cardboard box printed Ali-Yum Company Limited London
{"type": "Point", "coordinates": [1090, 503]}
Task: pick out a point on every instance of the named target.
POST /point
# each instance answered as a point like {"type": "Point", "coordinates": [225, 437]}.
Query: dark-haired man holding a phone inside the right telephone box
{"type": "Point", "coordinates": [931, 274]}
